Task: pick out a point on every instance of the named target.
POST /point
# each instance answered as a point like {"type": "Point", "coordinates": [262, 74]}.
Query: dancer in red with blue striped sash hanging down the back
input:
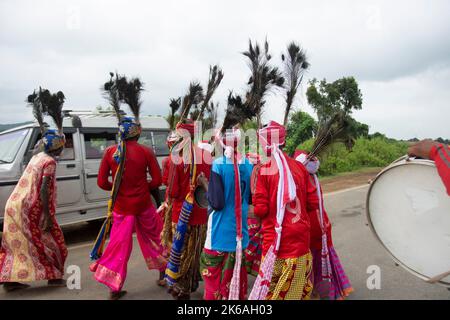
{"type": "Point", "coordinates": [188, 218]}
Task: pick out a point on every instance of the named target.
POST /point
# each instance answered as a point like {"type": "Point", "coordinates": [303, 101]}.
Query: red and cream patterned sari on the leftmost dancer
{"type": "Point", "coordinates": [27, 252]}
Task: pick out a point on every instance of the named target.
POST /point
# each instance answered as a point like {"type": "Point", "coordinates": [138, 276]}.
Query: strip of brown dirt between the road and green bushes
{"type": "Point", "coordinates": [348, 180]}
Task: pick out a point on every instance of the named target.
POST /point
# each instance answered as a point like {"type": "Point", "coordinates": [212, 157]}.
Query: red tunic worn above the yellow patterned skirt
{"type": "Point", "coordinates": [295, 235]}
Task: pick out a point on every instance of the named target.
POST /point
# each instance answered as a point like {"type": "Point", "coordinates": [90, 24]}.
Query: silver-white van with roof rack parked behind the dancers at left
{"type": "Point", "coordinates": [79, 197]}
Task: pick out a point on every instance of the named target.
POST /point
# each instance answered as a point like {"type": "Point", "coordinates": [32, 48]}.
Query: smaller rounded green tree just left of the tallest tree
{"type": "Point", "coordinates": [301, 127]}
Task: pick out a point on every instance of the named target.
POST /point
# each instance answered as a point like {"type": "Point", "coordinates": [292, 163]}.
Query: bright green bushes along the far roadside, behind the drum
{"type": "Point", "coordinates": [373, 152]}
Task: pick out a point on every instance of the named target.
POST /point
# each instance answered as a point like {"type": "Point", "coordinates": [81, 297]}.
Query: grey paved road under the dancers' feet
{"type": "Point", "coordinates": [352, 238]}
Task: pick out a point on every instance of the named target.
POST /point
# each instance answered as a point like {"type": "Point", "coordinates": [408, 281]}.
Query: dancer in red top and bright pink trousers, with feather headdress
{"type": "Point", "coordinates": [130, 209]}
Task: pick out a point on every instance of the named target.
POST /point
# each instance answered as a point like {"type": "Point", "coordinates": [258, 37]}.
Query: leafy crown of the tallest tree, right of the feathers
{"type": "Point", "coordinates": [328, 98]}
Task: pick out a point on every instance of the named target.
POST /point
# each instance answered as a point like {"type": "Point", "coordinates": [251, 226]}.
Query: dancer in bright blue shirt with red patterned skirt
{"type": "Point", "coordinates": [222, 261]}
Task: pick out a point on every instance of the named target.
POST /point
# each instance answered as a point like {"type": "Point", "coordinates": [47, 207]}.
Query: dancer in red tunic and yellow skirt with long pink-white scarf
{"type": "Point", "coordinates": [284, 196]}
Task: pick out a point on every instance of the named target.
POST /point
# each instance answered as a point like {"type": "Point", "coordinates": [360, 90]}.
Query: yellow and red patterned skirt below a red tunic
{"type": "Point", "coordinates": [291, 279]}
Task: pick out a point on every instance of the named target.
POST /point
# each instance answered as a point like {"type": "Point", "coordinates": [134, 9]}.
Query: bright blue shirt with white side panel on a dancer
{"type": "Point", "coordinates": [221, 232]}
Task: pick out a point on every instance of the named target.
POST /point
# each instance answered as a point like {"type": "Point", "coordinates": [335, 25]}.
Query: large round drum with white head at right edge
{"type": "Point", "coordinates": [409, 212]}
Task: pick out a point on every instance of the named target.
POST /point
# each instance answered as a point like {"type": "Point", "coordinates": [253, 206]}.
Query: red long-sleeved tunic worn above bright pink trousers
{"type": "Point", "coordinates": [134, 192]}
